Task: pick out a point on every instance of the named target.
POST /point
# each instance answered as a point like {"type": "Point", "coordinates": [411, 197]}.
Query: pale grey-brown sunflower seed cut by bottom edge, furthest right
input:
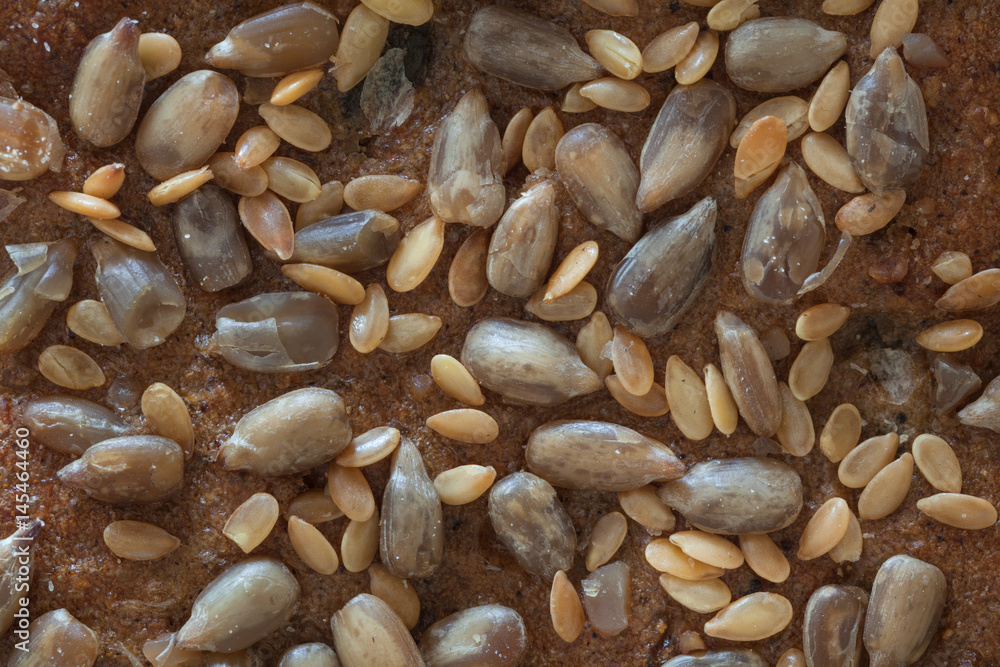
{"type": "Point", "coordinates": [906, 604]}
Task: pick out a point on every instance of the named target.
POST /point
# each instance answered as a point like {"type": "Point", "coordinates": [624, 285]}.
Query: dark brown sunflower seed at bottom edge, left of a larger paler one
{"type": "Point", "coordinates": [834, 620]}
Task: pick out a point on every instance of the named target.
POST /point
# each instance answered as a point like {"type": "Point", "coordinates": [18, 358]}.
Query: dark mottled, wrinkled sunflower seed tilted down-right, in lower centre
{"type": "Point", "coordinates": [531, 522]}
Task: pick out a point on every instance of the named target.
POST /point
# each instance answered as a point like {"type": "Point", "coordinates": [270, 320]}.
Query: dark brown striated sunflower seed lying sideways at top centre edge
{"type": "Point", "coordinates": [511, 44]}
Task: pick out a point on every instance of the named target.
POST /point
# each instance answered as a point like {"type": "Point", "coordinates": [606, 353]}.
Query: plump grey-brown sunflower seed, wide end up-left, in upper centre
{"type": "Point", "coordinates": [602, 179]}
